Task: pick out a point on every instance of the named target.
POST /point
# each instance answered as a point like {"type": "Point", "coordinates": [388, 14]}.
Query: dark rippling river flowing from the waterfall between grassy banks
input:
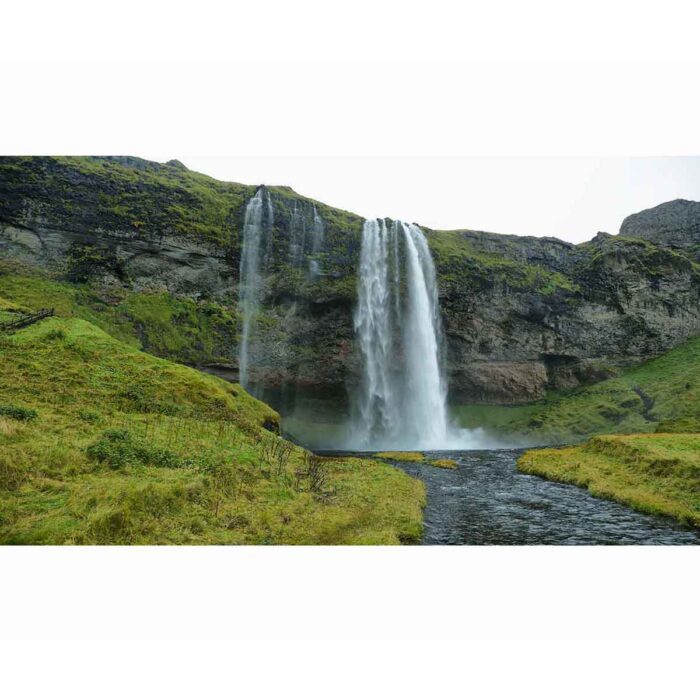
{"type": "Point", "coordinates": [487, 501]}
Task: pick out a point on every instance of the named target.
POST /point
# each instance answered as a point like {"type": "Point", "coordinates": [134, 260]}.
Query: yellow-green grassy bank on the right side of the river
{"type": "Point", "coordinates": [657, 474]}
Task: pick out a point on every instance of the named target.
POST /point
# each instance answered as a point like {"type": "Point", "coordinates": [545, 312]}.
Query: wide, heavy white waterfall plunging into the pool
{"type": "Point", "coordinates": [402, 397]}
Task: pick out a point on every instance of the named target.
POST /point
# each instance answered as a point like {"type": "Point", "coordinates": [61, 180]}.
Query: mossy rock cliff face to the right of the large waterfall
{"type": "Point", "coordinates": [552, 315]}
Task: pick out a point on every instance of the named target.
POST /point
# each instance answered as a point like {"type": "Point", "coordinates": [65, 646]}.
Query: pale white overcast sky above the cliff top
{"type": "Point", "coordinates": [570, 198]}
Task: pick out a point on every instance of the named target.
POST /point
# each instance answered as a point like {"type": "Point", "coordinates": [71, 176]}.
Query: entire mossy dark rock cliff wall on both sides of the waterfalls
{"type": "Point", "coordinates": [520, 314]}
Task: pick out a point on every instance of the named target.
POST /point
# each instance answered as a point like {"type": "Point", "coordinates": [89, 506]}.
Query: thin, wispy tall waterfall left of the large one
{"type": "Point", "coordinates": [257, 222]}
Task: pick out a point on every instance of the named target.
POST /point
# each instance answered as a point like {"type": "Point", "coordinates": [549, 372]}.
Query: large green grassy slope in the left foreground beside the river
{"type": "Point", "coordinates": [197, 471]}
